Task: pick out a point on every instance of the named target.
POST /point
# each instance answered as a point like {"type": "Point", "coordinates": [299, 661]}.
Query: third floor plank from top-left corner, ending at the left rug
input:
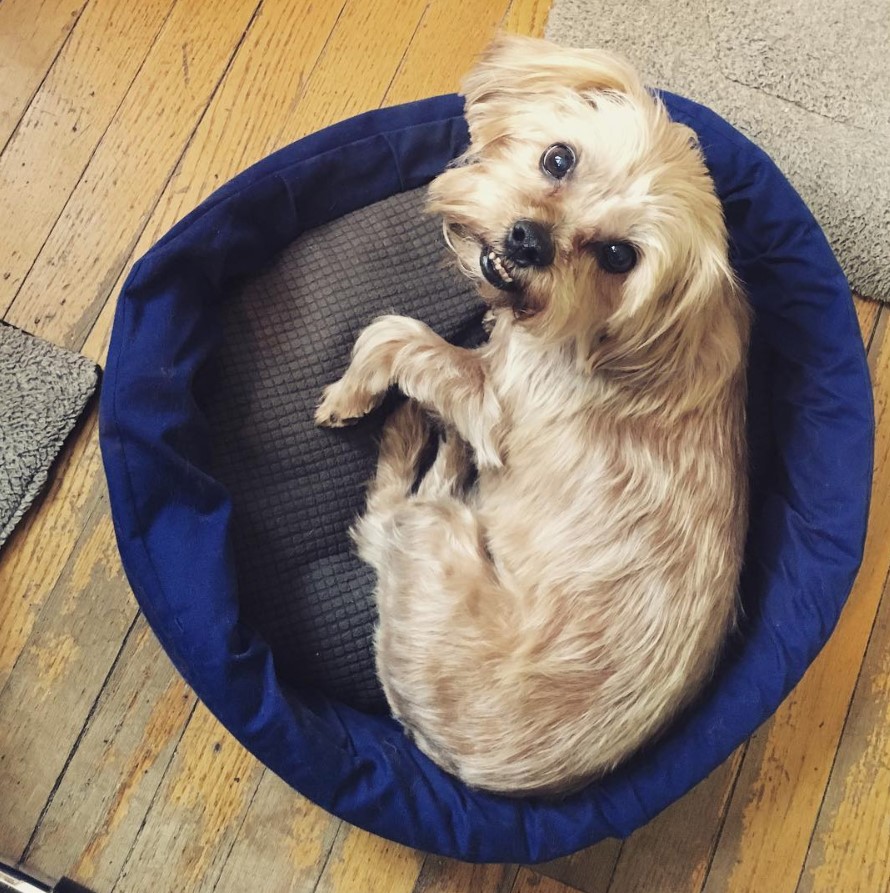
{"type": "Point", "coordinates": [69, 281]}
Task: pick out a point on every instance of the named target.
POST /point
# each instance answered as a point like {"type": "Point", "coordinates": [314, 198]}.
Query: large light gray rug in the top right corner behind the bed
{"type": "Point", "coordinates": [808, 80]}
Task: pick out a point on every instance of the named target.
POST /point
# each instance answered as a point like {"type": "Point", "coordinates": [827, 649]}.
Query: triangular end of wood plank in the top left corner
{"type": "Point", "coordinates": [31, 34]}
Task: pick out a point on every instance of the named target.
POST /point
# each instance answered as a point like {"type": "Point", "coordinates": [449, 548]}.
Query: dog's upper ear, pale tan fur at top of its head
{"type": "Point", "coordinates": [512, 68]}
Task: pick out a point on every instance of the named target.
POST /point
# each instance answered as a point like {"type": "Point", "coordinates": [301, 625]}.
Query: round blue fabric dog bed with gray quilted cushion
{"type": "Point", "coordinates": [231, 509]}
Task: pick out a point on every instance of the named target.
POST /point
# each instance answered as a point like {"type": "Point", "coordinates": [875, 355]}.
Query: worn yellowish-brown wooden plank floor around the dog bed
{"type": "Point", "coordinates": [116, 118]}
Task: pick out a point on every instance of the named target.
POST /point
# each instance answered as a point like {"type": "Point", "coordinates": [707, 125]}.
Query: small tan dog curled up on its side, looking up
{"type": "Point", "coordinates": [540, 624]}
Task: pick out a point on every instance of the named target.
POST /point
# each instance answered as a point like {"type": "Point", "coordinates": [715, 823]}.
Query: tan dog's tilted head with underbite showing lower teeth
{"type": "Point", "coordinates": [579, 203]}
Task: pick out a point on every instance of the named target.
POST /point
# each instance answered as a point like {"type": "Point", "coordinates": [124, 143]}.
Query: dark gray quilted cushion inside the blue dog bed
{"type": "Point", "coordinates": [286, 333]}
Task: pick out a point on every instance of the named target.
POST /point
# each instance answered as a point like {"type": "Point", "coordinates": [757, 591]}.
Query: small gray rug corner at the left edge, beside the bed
{"type": "Point", "coordinates": [43, 391]}
